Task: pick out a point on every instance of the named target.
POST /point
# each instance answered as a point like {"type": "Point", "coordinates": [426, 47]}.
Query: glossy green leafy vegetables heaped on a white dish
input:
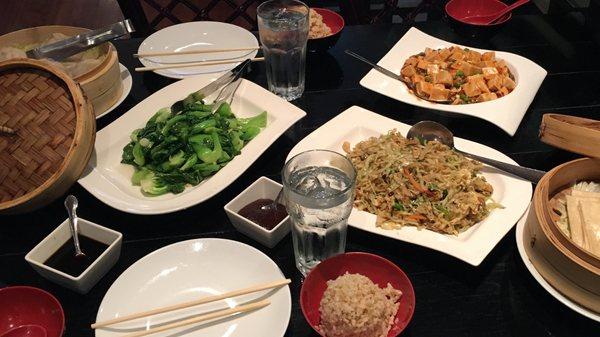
{"type": "Point", "coordinates": [173, 151]}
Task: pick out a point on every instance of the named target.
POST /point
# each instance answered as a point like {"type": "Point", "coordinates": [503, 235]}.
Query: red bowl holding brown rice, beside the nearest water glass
{"type": "Point", "coordinates": [378, 269]}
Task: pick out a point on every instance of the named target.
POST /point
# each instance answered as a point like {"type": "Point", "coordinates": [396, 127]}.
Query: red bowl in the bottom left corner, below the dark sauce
{"type": "Point", "coordinates": [22, 305]}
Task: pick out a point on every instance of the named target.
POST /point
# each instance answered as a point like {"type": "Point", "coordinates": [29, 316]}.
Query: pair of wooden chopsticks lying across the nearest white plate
{"type": "Point", "coordinates": [203, 317]}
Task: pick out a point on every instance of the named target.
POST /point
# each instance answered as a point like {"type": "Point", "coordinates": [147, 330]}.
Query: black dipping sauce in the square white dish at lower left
{"type": "Point", "coordinates": [64, 258]}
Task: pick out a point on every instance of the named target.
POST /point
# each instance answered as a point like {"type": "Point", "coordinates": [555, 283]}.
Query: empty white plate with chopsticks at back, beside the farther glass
{"type": "Point", "coordinates": [197, 35]}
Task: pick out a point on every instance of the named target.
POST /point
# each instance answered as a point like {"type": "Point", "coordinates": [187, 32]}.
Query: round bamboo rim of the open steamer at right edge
{"type": "Point", "coordinates": [555, 236]}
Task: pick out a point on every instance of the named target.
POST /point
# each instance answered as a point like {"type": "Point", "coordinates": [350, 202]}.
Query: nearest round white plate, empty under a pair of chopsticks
{"type": "Point", "coordinates": [192, 269]}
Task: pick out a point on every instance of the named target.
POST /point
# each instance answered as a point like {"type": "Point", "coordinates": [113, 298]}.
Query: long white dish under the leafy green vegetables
{"type": "Point", "coordinates": [110, 181]}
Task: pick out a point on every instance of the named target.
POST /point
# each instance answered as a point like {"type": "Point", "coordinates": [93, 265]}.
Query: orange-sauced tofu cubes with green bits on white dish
{"type": "Point", "coordinates": [458, 75]}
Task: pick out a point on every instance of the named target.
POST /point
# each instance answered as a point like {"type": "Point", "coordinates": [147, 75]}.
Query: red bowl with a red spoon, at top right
{"type": "Point", "coordinates": [460, 9]}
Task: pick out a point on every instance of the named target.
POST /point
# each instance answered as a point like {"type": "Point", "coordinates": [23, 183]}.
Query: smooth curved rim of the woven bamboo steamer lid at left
{"type": "Point", "coordinates": [78, 100]}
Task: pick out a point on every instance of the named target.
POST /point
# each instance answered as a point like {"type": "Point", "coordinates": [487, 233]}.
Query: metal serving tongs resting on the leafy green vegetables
{"type": "Point", "coordinates": [227, 84]}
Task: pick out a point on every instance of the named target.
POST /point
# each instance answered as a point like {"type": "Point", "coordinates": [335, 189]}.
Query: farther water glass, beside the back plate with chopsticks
{"type": "Point", "coordinates": [283, 30]}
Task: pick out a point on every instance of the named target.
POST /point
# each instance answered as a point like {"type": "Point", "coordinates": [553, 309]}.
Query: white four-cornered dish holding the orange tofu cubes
{"type": "Point", "coordinates": [505, 112]}
